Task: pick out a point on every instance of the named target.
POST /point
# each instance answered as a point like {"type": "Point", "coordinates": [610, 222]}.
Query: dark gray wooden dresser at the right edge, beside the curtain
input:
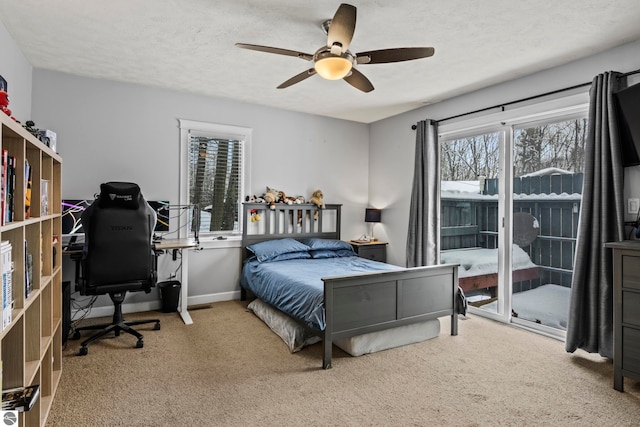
{"type": "Point", "coordinates": [626, 311]}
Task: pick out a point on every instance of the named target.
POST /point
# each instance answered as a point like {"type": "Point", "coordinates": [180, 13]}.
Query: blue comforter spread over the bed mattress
{"type": "Point", "coordinates": [295, 286]}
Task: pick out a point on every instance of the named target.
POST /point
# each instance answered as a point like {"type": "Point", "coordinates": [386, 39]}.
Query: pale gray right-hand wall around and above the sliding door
{"type": "Point", "coordinates": [392, 142]}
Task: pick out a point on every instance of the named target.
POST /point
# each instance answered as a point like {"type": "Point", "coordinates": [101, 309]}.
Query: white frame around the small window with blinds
{"type": "Point", "coordinates": [239, 133]}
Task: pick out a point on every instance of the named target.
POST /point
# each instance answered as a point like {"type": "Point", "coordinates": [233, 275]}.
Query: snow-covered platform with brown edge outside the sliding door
{"type": "Point", "coordinates": [479, 266]}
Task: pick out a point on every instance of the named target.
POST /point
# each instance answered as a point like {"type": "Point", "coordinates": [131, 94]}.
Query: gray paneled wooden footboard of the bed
{"type": "Point", "coordinates": [362, 303]}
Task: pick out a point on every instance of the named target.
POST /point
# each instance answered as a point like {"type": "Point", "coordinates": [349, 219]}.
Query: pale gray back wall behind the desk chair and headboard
{"type": "Point", "coordinates": [110, 131]}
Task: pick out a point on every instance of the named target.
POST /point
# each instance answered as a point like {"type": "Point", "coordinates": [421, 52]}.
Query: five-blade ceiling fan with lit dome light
{"type": "Point", "coordinates": [334, 61]}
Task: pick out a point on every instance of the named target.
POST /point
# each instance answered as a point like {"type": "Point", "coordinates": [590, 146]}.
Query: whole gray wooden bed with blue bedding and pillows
{"type": "Point", "coordinates": [334, 298]}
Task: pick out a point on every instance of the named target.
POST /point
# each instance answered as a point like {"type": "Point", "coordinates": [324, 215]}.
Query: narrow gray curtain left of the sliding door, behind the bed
{"type": "Point", "coordinates": [422, 245]}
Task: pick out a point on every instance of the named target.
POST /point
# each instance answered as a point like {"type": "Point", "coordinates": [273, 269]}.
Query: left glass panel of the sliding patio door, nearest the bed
{"type": "Point", "coordinates": [472, 210]}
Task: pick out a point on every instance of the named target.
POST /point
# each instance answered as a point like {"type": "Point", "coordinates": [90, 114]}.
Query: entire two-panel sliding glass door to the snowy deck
{"type": "Point", "coordinates": [510, 200]}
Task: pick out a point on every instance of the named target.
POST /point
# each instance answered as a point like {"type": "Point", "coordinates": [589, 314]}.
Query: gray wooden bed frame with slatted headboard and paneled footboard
{"type": "Point", "coordinates": [359, 303]}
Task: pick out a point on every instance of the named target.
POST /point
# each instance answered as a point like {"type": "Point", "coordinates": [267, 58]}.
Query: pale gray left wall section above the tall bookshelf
{"type": "Point", "coordinates": [16, 70]}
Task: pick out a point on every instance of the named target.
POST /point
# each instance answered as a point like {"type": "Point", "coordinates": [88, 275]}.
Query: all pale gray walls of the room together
{"type": "Point", "coordinates": [109, 130]}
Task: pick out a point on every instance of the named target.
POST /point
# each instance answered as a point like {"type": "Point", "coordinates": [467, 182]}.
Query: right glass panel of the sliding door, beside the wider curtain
{"type": "Point", "coordinates": [548, 161]}
